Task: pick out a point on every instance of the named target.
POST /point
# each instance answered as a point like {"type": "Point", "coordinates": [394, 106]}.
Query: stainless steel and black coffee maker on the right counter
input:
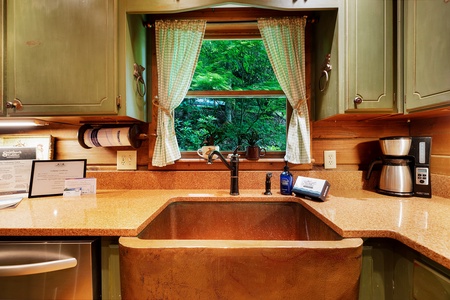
{"type": "Point", "coordinates": [405, 167]}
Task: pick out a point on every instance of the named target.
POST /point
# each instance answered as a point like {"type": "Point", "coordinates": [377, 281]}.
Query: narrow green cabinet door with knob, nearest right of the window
{"type": "Point", "coordinates": [370, 56]}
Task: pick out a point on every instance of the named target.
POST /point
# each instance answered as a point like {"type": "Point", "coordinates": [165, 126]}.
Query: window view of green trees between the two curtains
{"type": "Point", "coordinates": [234, 99]}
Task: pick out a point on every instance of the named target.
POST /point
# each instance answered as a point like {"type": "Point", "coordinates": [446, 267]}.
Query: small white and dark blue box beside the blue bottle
{"type": "Point", "coordinates": [311, 188]}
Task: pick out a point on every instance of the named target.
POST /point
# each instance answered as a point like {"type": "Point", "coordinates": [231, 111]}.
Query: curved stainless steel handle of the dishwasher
{"type": "Point", "coordinates": [38, 268]}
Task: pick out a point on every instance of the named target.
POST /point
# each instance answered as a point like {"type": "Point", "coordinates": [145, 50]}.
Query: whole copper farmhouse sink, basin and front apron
{"type": "Point", "coordinates": [239, 250]}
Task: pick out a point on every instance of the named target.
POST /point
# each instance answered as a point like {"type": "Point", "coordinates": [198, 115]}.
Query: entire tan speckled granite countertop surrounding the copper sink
{"type": "Point", "coordinates": [419, 223]}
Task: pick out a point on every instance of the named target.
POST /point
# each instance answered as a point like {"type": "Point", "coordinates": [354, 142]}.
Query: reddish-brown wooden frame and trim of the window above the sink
{"type": "Point", "coordinates": [223, 23]}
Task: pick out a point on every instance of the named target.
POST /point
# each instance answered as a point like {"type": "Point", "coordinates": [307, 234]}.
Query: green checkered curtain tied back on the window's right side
{"type": "Point", "coordinates": [284, 40]}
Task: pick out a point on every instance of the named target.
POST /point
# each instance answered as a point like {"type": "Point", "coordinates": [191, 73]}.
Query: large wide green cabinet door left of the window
{"type": "Point", "coordinates": [61, 57]}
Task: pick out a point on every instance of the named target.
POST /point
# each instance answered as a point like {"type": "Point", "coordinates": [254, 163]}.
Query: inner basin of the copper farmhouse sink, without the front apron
{"type": "Point", "coordinates": [238, 221]}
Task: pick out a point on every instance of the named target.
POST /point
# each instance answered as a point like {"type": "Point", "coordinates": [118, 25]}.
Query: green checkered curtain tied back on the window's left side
{"type": "Point", "coordinates": [178, 44]}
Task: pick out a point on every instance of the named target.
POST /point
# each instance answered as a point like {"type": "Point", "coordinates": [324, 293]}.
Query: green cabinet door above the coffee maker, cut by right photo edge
{"type": "Point", "coordinates": [427, 49]}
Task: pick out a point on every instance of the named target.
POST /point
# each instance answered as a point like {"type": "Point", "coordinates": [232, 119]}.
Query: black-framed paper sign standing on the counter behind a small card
{"type": "Point", "coordinates": [48, 176]}
